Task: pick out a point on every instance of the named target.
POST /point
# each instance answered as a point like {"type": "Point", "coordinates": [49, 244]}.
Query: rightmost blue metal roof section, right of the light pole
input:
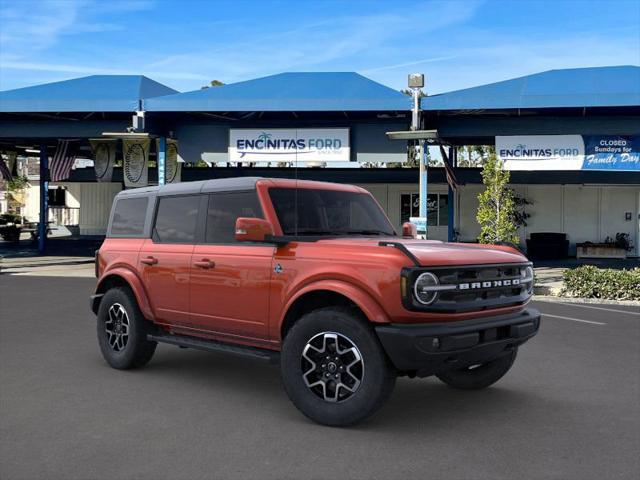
{"type": "Point", "coordinates": [576, 87]}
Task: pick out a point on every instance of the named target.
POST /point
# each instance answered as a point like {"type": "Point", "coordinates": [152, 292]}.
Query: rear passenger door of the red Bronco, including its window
{"type": "Point", "coordinates": [165, 258]}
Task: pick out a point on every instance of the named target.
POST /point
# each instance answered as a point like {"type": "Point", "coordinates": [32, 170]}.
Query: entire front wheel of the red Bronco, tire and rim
{"type": "Point", "coordinates": [334, 369]}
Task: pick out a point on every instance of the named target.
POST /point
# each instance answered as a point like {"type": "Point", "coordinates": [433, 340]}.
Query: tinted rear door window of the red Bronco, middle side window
{"type": "Point", "coordinates": [176, 219]}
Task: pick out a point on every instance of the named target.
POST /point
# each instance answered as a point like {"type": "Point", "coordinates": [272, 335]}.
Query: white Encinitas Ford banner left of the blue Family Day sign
{"type": "Point", "coordinates": [541, 152]}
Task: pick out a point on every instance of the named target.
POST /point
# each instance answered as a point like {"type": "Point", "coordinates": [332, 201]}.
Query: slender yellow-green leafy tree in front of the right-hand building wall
{"type": "Point", "coordinates": [496, 209]}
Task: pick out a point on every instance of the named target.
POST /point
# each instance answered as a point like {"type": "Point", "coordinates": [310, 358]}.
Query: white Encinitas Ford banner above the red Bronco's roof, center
{"type": "Point", "coordinates": [289, 145]}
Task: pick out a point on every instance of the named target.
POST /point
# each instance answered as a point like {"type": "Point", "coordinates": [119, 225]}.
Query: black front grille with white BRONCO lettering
{"type": "Point", "coordinates": [472, 287]}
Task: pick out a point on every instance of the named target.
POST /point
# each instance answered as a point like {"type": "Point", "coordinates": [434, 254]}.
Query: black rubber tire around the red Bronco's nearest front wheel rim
{"type": "Point", "coordinates": [378, 375]}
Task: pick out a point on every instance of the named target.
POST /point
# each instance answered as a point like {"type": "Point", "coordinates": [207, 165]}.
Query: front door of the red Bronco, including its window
{"type": "Point", "coordinates": [230, 280]}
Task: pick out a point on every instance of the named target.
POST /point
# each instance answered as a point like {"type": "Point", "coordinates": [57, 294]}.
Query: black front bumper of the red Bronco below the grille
{"type": "Point", "coordinates": [426, 349]}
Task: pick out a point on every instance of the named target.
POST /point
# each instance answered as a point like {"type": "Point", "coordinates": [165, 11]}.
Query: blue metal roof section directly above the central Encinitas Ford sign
{"type": "Point", "coordinates": [305, 91]}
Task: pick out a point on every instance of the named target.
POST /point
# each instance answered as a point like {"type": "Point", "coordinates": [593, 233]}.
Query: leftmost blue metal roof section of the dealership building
{"type": "Point", "coordinates": [96, 93]}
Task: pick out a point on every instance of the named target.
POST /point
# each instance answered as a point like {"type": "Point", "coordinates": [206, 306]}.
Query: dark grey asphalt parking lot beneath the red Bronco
{"type": "Point", "coordinates": [568, 409]}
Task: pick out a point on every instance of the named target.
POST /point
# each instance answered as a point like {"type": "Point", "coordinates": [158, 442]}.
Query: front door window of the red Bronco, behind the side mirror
{"type": "Point", "coordinates": [224, 209]}
